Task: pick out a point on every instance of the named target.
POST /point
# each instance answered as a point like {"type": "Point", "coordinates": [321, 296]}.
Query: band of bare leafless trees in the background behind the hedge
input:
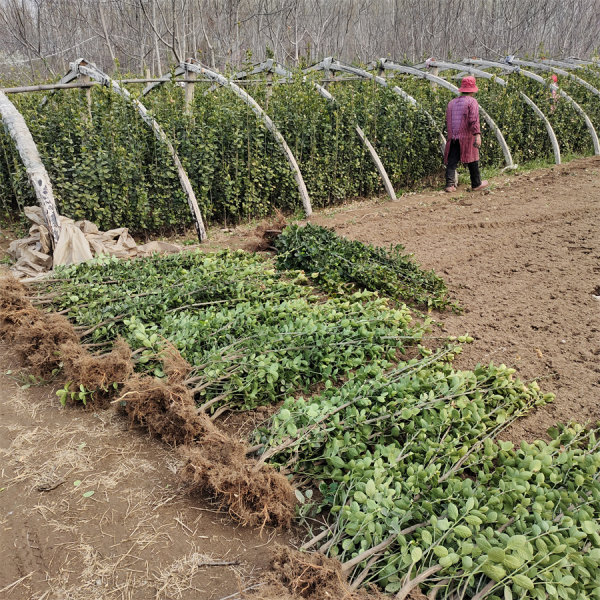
{"type": "Point", "coordinates": [38, 37]}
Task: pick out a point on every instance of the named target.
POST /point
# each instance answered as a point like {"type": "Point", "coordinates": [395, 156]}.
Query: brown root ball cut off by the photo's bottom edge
{"type": "Point", "coordinates": [297, 575]}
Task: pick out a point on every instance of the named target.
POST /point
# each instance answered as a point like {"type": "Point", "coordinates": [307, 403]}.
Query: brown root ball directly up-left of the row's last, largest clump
{"type": "Point", "coordinates": [166, 409]}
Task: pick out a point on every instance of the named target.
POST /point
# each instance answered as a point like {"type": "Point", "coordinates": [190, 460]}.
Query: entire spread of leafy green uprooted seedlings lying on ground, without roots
{"type": "Point", "coordinates": [400, 457]}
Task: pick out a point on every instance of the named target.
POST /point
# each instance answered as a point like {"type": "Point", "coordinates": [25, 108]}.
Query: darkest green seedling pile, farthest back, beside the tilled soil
{"type": "Point", "coordinates": [334, 261]}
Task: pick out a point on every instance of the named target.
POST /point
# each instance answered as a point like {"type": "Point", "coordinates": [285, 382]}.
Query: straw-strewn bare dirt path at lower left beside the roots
{"type": "Point", "coordinates": [138, 536]}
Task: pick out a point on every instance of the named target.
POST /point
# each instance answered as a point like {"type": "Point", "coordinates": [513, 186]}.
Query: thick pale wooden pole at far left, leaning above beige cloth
{"type": "Point", "coordinates": [38, 176]}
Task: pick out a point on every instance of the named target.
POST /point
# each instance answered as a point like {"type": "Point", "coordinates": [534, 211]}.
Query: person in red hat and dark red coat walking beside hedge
{"type": "Point", "coordinates": [464, 136]}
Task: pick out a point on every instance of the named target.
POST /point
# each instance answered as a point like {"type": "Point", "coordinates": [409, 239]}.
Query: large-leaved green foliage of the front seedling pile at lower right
{"type": "Point", "coordinates": [411, 455]}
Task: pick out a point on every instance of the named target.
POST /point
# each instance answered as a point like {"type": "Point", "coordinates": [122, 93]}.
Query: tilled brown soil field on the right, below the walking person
{"type": "Point", "coordinates": [524, 262]}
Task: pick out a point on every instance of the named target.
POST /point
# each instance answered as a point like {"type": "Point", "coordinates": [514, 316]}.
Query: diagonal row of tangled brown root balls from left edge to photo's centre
{"type": "Point", "coordinates": [216, 463]}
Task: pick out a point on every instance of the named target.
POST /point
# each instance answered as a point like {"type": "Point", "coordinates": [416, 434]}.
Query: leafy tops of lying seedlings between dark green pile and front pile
{"type": "Point", "coordinates": [251, 334]}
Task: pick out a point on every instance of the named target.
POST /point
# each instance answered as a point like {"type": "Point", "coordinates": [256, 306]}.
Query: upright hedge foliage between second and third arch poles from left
{"type": "Point", "coordinates": [235, 165]}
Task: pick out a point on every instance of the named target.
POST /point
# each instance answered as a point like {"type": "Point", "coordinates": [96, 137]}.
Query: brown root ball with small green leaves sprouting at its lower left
{"type": "Point", "coordinates": [97, 372]}
